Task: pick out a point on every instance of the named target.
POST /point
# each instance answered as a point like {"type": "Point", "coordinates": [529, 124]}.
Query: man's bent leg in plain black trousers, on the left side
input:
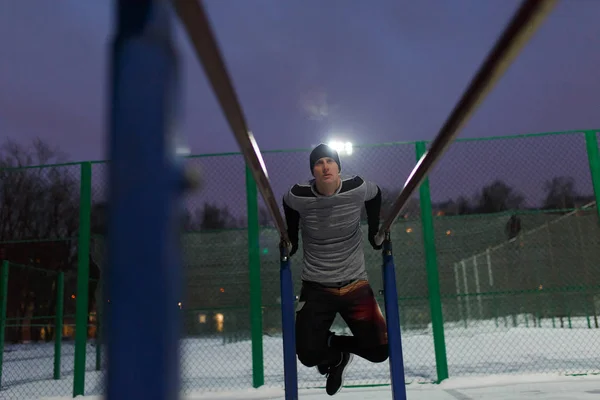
{"type": "Point", "coordinates": [315, 314]}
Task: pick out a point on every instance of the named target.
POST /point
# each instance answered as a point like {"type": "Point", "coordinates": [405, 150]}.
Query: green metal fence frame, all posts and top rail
{"type": "Point", "coordinates": [256, 306]}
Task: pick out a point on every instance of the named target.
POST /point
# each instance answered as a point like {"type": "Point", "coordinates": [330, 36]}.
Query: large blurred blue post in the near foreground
{"type": "Point", "coordinates": [146, 177]}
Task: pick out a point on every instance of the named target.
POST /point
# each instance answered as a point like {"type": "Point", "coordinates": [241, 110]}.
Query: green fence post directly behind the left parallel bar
{"type": "Point", "coordinates": [258, 374]}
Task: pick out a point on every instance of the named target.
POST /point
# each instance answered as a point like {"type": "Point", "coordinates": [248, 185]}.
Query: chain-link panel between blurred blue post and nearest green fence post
{"type": "Point", "coordinates": [216, 300]}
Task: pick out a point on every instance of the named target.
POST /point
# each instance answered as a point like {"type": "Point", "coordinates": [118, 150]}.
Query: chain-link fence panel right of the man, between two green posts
{"type": "Point", "coordinates": [520, 267]}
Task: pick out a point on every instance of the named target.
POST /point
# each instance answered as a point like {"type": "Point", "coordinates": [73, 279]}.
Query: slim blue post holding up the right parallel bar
{"type": "Point", "coordinates": [392, 315]}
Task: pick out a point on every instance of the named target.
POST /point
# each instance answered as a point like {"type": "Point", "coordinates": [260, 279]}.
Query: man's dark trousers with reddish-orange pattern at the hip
{"type": "Point", "coordinates": [356, 303]}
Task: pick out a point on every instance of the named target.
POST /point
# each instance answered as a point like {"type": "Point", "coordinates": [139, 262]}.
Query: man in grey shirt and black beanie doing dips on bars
{"type": "Point", "coordinates": [334, 279]}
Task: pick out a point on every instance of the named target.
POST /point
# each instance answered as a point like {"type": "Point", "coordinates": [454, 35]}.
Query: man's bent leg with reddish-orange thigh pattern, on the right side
{"type": "Point", "coordinates": [360, 311]}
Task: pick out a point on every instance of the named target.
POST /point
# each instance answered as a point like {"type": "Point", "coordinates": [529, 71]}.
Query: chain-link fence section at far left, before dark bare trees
{"type": "Point", "coordinates": [40, 236]}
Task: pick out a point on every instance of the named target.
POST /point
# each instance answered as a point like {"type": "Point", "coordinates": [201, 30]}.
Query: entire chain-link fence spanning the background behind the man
{"type": "Point", "coordinates": [515, 238]}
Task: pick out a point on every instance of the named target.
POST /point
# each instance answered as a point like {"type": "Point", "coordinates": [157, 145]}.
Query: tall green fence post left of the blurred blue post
{"type": "Point", "coordinates": [83, 275]}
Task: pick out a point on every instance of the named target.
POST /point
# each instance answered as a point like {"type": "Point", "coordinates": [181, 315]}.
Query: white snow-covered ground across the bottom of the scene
{"type": "Point", "coordinates": [485, 361]}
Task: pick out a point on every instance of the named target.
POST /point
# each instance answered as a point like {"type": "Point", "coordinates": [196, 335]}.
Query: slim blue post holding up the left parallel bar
{"type": "Point", "coordinates": [290, 370]}
